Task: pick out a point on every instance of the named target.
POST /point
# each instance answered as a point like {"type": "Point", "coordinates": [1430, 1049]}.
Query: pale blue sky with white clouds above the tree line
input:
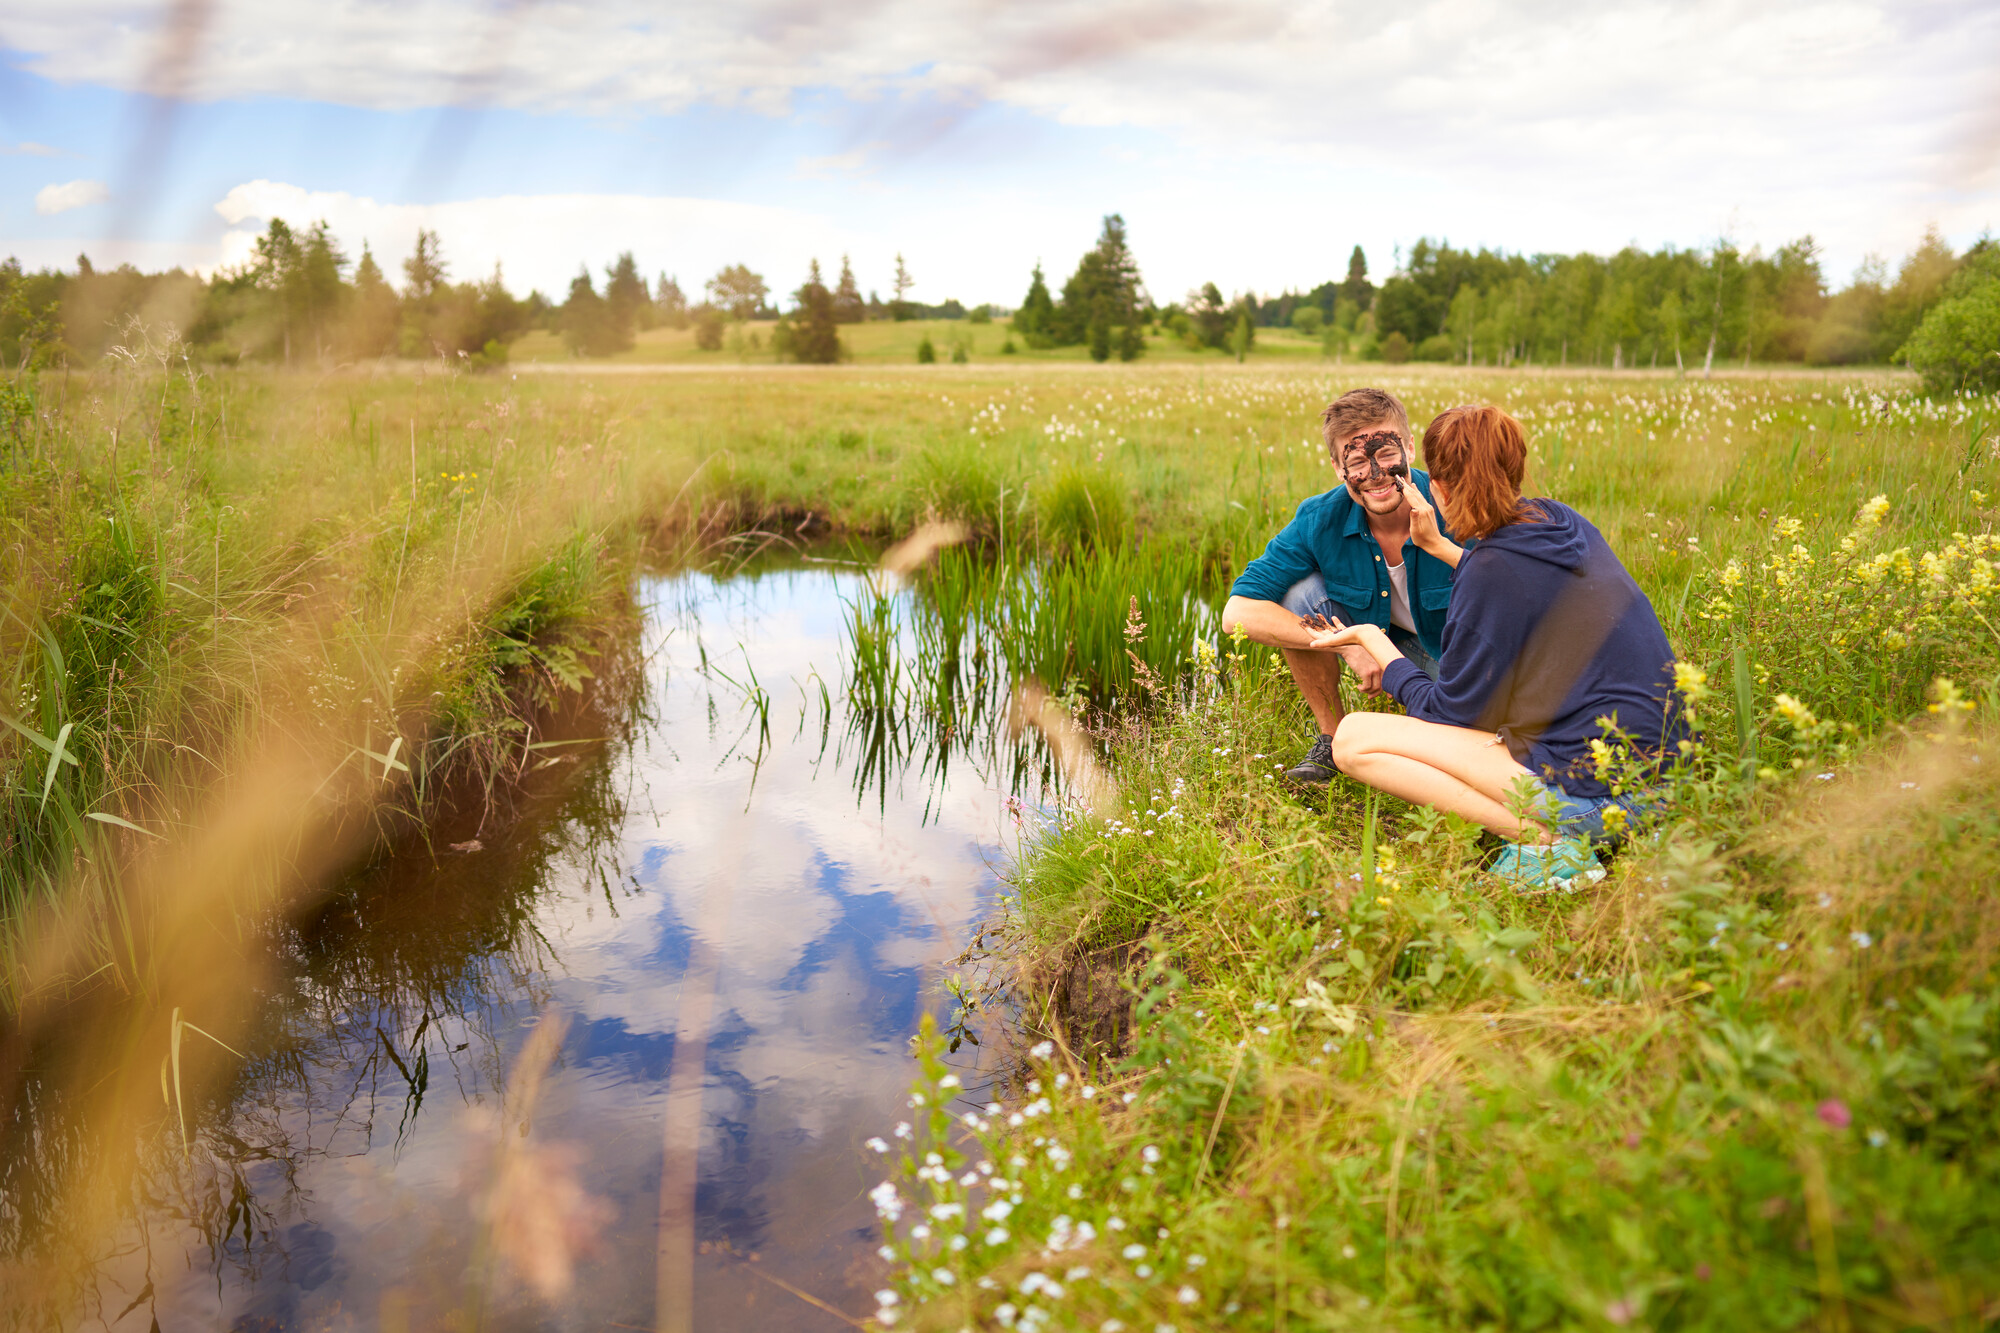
{"type": "Point", "coordinates": [1247, 143]}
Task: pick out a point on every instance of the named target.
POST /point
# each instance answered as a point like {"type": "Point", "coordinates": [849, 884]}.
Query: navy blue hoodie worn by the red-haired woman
{"type": "Point", "coordinates": [1547, 635]}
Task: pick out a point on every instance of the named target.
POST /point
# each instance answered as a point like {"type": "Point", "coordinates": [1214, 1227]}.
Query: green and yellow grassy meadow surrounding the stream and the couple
{"type": "Point", "coordinates": [1303, 1064]}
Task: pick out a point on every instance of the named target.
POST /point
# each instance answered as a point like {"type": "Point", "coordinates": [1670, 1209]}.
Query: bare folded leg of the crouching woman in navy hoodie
{"type": "Point", "coordinates": [1455, 770]}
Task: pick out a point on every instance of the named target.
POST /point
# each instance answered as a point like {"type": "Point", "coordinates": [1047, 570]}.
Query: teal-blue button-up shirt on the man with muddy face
{"type": "Point", "coordinates": [1329, 537]}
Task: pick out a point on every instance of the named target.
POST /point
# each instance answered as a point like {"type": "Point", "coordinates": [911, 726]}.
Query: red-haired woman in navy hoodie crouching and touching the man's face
{"type": "Point", "coordinates": [1547, 637]}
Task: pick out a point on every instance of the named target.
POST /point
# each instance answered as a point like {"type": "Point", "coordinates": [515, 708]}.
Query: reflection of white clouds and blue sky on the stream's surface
{"type": "Point", "coordinates": [817, 906]}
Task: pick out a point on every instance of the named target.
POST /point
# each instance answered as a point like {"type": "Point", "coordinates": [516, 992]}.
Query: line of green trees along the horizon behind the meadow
{"type": "Point", "coordinates": [301, 299]}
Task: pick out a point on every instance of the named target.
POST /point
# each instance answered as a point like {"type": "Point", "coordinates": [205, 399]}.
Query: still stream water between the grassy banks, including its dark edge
{"type": "Point", "coordinates": [617, 1066]}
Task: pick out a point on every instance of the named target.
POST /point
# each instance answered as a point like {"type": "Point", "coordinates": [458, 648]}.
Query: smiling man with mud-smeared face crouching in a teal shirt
{"type": "Point", "coordinates": [1349, 555]}
